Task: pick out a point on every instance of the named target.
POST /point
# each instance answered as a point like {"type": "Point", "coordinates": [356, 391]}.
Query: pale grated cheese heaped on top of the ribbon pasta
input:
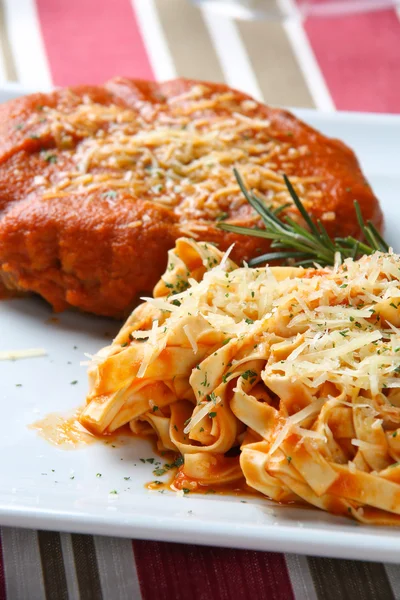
{"type": "Point", "coordinates": [342, 341]}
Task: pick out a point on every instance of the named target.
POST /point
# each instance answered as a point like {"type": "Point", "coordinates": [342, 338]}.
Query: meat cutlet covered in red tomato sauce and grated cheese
{"type": "Point", "coordinates": [97, 183]}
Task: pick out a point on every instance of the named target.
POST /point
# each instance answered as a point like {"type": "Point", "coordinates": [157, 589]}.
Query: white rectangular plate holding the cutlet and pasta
{"type": "Point", "coordinates": [36, 485]}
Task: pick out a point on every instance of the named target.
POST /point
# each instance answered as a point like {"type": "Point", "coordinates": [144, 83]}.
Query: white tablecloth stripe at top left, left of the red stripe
{"type": "Point", "coordinates": [26, 43]}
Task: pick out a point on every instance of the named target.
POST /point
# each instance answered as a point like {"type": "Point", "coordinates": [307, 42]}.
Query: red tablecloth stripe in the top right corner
{"type": "Point", "coordinates": [359, 56]}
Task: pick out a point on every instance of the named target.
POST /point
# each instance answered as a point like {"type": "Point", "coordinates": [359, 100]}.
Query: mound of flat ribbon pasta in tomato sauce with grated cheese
{"type": "Point", "coordinates": [297, 369]}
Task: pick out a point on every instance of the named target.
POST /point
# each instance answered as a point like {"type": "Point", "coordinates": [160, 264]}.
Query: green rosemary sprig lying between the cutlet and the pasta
{"type": "Point", "coordinates": [300, 246]}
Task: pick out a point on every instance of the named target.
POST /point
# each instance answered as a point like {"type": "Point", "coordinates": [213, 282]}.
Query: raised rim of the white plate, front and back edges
{"type": "Point", "coordinates": [357, 544]}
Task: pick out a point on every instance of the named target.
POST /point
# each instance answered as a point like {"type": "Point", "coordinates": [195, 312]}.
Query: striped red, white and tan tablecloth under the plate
{"type": "Point", "coordinates": [350, 63]}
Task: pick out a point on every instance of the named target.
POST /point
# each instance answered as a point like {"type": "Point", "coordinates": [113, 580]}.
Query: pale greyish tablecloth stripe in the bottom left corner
{"type": "Point", "coordinates": [22, 564]}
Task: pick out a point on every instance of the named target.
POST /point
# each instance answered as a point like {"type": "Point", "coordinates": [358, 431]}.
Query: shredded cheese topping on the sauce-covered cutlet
{"type": "Point", "coordinates": [179, 153]}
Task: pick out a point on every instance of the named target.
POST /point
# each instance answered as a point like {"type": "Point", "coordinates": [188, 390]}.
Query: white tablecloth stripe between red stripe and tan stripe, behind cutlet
{"type": "Point", "coordinates": [155, 40]}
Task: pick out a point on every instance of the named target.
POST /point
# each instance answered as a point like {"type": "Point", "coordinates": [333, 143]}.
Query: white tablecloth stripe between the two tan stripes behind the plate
{"type": "Point", "coordinates": [235, 63]}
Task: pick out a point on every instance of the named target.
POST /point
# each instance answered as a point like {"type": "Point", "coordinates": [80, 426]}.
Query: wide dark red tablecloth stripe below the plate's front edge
{"type": "Point", "coordinates": [178, 572]}
